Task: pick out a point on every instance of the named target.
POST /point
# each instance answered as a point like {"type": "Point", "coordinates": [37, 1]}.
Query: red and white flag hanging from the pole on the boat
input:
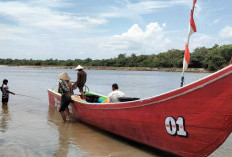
{"type": "Point", "coordinates": [192, 29]}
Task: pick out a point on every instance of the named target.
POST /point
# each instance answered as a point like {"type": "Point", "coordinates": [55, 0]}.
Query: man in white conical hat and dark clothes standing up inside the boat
{"type": "Point", "coordinates": [81, 79]}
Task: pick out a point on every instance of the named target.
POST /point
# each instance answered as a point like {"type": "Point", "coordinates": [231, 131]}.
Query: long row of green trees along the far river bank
{"type": "Point", "coordinates": [212, 59]}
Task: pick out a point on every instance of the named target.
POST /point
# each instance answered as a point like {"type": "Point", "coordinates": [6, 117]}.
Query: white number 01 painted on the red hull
{"type": "Point", "coordinates": [175, 127]}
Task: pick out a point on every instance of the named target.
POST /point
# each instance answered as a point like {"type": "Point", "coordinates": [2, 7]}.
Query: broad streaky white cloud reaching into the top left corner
{"type": "Point", "coordinates": [29, 14]}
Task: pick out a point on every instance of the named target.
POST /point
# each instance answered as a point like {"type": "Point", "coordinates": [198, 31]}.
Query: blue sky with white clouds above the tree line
{"type": "Point", "coordinates": [100, 29]}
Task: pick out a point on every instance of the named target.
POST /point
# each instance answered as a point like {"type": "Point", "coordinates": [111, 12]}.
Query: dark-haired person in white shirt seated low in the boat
{"type": "Point", "coordinates": [113, 96]}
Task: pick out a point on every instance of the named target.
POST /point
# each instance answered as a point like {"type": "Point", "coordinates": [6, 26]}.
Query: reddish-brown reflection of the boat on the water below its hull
{"type": "Point", "coordinates": [77, 139]}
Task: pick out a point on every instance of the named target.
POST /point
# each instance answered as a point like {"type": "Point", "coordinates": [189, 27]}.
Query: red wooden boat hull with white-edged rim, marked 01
{"type": "Point", "coordinates": [190, 121]}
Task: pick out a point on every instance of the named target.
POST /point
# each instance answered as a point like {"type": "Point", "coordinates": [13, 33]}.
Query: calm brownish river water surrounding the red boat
{"type": "Point", "coordinates": [29, 128]}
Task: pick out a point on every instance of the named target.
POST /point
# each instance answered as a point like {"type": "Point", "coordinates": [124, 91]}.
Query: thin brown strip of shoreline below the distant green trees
{"type": "Point", "coordinates": [196, 70]}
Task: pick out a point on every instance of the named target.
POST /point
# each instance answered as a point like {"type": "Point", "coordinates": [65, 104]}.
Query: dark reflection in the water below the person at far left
{"type": "Point", "coordinates": [5, 117]}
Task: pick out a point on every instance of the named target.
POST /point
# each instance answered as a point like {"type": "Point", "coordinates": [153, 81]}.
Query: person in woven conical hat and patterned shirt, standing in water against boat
{"type": "Point", "coordinates": [65, 88]}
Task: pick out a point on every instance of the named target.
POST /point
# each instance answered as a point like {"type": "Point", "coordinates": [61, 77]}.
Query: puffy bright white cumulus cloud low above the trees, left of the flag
{"type": "Point", "coordinates": [136, 40]}
